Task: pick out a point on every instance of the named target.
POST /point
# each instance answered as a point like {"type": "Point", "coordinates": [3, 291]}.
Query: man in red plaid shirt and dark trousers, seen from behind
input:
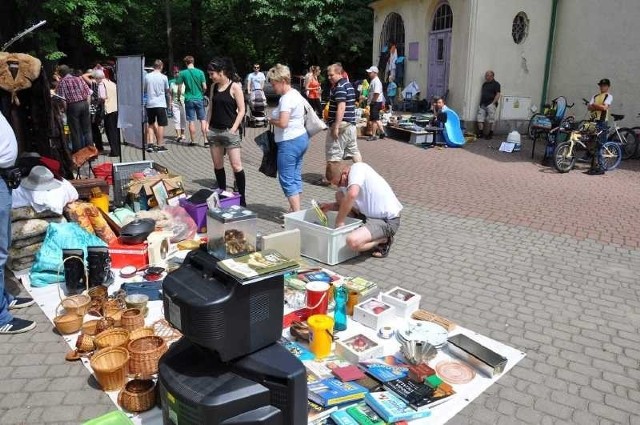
{"type": "Point", "coordinates": [76, 95]}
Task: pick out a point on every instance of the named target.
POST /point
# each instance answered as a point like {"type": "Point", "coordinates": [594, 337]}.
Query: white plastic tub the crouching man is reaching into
{"type": "Point", "coordinates": [325, 244]}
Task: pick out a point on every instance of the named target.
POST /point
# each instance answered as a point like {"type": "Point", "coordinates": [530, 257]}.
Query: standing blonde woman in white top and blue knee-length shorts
{"type": "Point", "coordinates": [290, 134]}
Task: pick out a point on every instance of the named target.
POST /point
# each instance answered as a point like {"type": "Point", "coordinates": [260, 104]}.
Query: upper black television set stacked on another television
{"type": "Point", "coordinates": [231, 318]}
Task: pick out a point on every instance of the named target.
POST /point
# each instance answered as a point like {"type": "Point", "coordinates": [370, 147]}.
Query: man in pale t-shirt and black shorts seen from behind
{"type": "Point", "coordinates": [156, 87]}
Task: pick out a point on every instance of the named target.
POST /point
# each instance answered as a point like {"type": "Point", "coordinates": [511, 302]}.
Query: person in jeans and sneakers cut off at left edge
{"type": "Point", "coordinates": [8, 153]}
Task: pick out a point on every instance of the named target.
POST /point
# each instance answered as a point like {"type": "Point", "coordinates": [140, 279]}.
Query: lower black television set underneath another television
{"type": "Point", "coordinates": [268, 387]}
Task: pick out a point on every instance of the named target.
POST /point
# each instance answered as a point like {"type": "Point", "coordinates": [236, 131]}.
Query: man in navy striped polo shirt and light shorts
{"type": "Point", "coordinates": [342, 137]}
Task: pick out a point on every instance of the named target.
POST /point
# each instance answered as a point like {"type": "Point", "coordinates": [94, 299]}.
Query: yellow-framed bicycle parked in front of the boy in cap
{"type": "Point", "coordinates": [609, 153]}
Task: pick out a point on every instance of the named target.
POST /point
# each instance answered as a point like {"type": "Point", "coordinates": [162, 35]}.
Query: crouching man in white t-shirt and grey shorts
{"type": "Point", "coordinates": [367, 195]}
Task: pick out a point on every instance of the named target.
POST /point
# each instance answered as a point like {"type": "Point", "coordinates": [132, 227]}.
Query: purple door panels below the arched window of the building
{"type": "Point", "coordinates": [439, 63]}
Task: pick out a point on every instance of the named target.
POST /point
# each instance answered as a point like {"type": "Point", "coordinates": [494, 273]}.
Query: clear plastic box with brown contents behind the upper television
{"type": "Point", "coordinates": [231, 232]}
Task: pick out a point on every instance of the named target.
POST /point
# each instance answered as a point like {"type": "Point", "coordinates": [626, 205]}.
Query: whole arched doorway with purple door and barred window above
{"type": "Point", "coordinates": [440, 51]}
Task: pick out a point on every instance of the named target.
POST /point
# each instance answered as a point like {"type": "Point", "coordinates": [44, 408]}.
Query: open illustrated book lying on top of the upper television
{"type": "Point", "coordinates": [256, 264]}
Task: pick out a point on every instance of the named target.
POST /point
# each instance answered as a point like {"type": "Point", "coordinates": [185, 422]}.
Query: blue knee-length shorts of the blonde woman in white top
{"type": "Point", "coordinates": [290, 154]}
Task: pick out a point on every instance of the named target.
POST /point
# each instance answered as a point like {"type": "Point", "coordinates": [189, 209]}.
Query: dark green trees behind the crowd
{"type": "Point", "coordinates": [296, 32]}
